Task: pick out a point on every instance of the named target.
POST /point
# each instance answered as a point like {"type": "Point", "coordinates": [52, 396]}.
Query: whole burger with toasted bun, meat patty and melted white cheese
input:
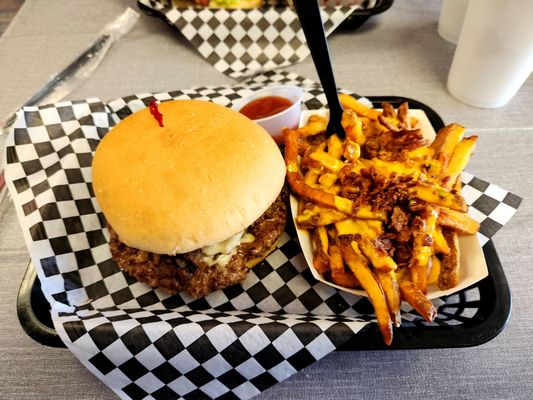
{"type": "Point", "coordinates": [193, 199]}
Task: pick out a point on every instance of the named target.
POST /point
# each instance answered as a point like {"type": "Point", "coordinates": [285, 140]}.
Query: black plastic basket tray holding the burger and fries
{"type": "Point", "coordinates": [470, 317]}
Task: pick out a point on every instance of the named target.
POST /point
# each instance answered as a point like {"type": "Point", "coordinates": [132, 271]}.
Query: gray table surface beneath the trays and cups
{"type": "Point", "coordinates": [397, 53]}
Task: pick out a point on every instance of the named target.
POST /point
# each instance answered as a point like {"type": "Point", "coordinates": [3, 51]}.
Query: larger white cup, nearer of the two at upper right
{"type": "Point", "coordinates": [494, 55]}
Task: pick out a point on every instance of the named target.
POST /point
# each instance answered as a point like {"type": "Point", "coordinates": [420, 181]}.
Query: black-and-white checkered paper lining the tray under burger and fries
{"type": "Point", "coordinates": [141, 342]}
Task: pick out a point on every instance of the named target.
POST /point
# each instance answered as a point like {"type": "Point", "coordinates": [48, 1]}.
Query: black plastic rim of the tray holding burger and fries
{"type": "Point", "coordinates": [495, 313]}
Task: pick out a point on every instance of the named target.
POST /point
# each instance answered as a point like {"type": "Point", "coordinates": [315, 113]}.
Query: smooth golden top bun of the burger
{"type": "Point", "coordinates": [204, 176]}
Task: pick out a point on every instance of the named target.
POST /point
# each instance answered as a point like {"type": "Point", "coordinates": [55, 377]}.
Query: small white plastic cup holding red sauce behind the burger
{"type": "Point", "coordinates": [288, 118]}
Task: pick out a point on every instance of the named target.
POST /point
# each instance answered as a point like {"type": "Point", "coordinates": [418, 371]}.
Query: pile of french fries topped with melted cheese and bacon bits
{"type": "Point", "coordinates": [384, 209]}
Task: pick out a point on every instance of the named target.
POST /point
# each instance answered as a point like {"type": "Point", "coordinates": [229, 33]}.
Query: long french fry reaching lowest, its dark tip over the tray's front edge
{"type": "Point", "coordinates": [358, 265]}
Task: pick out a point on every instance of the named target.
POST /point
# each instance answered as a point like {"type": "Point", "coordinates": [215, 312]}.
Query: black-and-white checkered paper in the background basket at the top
{"type": "Point", "coordinates": [242, 42]}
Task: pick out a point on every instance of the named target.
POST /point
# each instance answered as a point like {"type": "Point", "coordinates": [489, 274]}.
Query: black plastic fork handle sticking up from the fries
{"type": "Point", "coordinates": [311, 22]}
